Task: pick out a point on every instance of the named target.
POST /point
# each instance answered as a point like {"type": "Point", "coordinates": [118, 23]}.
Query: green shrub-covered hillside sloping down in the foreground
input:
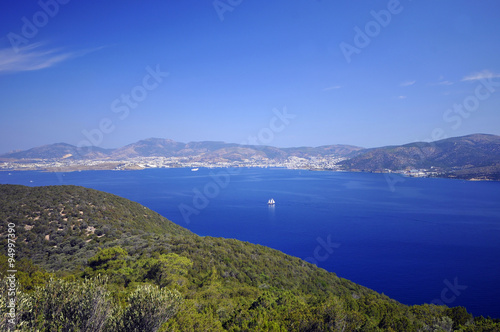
{"type": "Point", "coordinates": [79, 251]}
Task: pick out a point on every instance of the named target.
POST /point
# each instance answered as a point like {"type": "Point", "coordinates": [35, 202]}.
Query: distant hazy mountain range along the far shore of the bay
{"type": "Point", "coordinates": [475, 156]}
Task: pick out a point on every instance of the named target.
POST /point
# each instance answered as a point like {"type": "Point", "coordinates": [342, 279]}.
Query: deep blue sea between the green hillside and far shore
{"type": "Point", "coordinates": [416, 240]}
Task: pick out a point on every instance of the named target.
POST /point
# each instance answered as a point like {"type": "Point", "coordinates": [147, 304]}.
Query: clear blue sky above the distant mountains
{"type": "Point", "coordinates": [367, 73]}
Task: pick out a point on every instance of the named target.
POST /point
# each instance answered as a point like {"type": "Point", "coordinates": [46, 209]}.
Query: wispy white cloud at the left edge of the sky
{"type": "Point", "coordinates": [34, 57]}
